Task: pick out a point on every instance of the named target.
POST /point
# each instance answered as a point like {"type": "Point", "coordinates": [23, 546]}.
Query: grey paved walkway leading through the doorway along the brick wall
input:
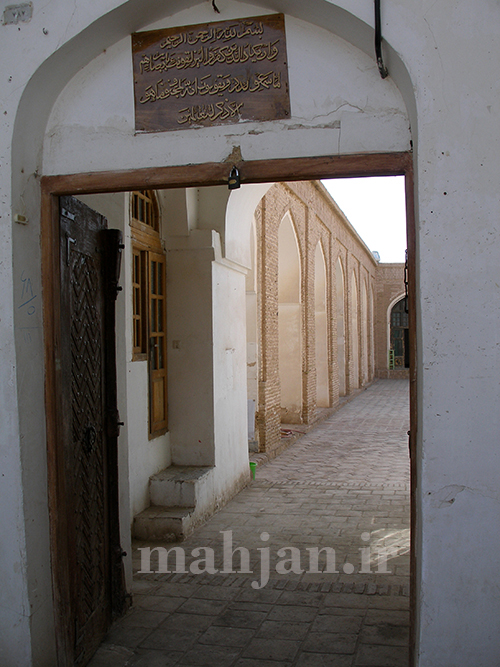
{"type": "Point", "coordinates": [344, 485]}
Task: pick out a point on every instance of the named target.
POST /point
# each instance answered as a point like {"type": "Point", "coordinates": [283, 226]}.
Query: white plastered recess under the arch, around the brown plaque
{"type": "Point", "coordinates": [95, 110]}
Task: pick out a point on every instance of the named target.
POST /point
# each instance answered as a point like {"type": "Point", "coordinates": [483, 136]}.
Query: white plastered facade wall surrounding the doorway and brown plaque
{"type": "Point", "coordinates": [447, 72]}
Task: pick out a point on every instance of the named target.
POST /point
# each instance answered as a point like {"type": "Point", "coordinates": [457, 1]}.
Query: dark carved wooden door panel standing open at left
{"type": "Point", "coordinates": [87, 462]}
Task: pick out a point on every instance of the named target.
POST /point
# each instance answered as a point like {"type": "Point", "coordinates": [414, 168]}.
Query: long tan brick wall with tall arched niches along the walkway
{"type": "Point", "coordinates": [316, 218]}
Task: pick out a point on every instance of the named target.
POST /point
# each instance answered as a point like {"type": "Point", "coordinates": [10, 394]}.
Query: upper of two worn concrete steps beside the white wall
{"type": "Point", "coordinates": [178, 486]}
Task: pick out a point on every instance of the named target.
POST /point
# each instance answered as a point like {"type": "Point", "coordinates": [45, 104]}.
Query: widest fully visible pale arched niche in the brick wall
{"type": "Point", "coordinates": [289, 322]}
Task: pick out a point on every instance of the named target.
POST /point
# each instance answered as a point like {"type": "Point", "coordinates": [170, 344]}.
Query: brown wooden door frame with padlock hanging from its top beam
{"type": "Point", "coordinates": [197, 175]}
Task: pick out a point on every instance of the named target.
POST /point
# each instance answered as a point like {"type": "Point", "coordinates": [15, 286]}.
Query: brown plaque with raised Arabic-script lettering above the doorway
{"type": "Point", "coordinates": [211, 74]}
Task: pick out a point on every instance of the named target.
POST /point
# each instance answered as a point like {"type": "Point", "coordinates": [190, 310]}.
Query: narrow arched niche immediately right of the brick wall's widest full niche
{"type": "Point", "coordinates": [321, 328]}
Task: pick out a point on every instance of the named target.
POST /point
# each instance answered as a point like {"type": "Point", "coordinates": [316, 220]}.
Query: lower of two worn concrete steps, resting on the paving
{"type": "Point", "coordinates": [170, 524]}
